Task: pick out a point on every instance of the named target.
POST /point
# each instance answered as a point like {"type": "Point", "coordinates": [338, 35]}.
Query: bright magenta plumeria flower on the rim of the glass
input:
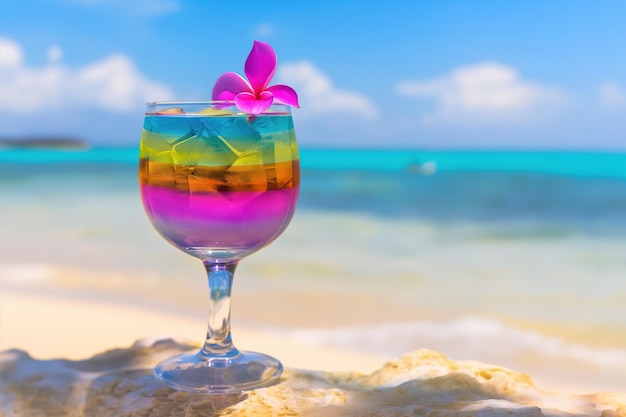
{"type": "Point", "coordinates": [255, 96]}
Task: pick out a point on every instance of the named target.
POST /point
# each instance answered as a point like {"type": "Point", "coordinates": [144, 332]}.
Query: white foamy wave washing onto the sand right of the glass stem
{"type": "Point", "coordinates": [461, 339]}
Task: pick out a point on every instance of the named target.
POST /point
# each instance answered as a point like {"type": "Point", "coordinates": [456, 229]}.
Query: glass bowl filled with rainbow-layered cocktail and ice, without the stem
{"type": "Point", "coordinates": [217, 183]}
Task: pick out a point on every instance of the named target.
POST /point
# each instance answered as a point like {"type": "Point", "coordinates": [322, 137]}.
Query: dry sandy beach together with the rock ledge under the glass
{"type": "Point", "coordinates": [102, 353]}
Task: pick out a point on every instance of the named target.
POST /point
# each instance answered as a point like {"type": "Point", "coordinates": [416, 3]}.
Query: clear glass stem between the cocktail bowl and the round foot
{"type": "Point", "coordinates": [218, 340]}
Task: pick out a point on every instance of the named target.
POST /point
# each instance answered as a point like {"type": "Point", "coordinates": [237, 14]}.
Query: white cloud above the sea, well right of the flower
{"type": "Point", "coordinates": [481, 93]}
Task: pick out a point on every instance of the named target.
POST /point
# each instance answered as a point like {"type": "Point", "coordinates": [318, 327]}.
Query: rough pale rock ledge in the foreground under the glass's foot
{"type": "Point", "coordinates": [421, 383]}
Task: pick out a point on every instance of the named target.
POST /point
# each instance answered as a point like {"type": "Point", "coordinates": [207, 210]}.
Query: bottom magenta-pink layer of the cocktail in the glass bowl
{"type": "Point", "coordinates": [236, 222]}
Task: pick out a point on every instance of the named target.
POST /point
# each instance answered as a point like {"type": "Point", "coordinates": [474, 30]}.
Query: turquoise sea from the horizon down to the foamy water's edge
{"type": "Point", "coordinates": [509, 257]}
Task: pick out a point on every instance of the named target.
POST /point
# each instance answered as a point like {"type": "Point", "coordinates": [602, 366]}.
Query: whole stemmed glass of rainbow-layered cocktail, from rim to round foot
{"type": "Point", "coordinates": [219, 185]}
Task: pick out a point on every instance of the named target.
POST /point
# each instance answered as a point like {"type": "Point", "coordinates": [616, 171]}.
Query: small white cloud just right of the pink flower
{"type": "Point", "coordinates": [318, 95]}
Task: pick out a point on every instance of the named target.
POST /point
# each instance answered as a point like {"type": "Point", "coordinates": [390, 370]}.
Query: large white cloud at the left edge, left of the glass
{"type": "Point", "coordinates": [113, 84]}
